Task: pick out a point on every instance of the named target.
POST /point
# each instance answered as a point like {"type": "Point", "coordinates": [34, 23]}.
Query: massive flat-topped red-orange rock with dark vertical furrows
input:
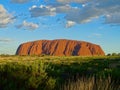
{"type": "Point", "coordinates": [60, 47]}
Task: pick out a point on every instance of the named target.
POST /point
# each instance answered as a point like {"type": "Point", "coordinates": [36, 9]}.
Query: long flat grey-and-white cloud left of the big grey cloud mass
{"type": "Point", "coordinates": [50, 10]}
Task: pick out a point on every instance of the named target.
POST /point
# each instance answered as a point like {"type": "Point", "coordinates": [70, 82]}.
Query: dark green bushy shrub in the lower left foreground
{"type": "Point", "coordinates": [15, 76]}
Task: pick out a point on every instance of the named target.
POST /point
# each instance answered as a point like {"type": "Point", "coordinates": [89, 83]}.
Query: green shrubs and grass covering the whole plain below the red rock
{"type": "Point", "coordinates": [59, 73]}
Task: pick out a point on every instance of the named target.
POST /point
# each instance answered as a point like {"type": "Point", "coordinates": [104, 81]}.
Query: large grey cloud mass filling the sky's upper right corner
{"type": "Point", "coordinates": [108, 8]}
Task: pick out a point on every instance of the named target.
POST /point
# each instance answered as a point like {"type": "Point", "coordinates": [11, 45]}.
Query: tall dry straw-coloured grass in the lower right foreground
{"type": "Point", "coordinates": [90, 84]}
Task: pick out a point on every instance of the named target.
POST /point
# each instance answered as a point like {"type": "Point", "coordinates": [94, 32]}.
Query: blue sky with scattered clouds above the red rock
{"type": "Point", "coordinates": [95, 21]}
